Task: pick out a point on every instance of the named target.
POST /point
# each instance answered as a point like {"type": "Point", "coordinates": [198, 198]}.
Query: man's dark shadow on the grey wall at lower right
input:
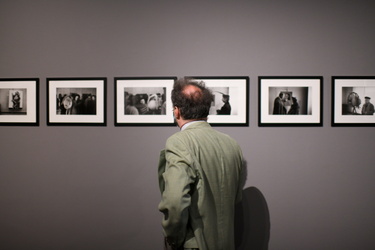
{"type": "Point", "coordinates": [252, 222]}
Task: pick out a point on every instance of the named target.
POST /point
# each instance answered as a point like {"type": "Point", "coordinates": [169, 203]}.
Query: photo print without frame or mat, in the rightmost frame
{"type": "Point", "coordinates": [357, 101]}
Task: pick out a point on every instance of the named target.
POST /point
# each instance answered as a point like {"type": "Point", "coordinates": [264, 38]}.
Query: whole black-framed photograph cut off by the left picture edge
{"type": "Point", "coordinates": [19, 101]}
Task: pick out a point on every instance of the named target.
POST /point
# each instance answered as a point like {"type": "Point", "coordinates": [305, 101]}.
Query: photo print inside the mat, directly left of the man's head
{"type": "Point", "coordinates": [145, 100]}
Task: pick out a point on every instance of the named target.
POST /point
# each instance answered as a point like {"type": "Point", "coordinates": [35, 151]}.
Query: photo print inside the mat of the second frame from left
{"type": "Point", "coordinates": [76, 101]}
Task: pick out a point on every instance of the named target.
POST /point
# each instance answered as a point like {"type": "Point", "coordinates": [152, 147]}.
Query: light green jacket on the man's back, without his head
{"type": "Point", "coordinates": [202, 184]}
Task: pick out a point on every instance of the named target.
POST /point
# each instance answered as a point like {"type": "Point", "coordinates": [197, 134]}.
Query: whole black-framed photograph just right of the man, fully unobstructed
{"type": "Point", "coordinates": [290, 101]}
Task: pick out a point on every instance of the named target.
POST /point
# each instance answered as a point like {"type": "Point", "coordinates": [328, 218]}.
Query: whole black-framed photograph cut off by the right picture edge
{"type": "Point", "coordinates": [352, 100]}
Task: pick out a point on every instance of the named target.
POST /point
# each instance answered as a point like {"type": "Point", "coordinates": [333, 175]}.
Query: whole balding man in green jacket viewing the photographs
{"type": "Point", "coordinates": [200, 175]}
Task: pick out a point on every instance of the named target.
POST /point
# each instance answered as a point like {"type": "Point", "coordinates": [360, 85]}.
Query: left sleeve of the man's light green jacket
{"type": "Point", "coordinates": [176, 199]}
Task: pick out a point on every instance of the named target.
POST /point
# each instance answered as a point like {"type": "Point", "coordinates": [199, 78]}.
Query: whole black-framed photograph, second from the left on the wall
{"type": "Point", "coordinates": [76, 101]}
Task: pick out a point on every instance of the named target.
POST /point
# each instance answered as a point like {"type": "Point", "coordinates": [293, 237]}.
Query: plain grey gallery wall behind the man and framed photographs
{"type": "Point", "coordinates": [96, 187]}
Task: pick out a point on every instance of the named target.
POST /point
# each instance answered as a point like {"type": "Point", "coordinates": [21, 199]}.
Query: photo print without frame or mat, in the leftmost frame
{"type": "Point", "coordinates": [13, 101]}
